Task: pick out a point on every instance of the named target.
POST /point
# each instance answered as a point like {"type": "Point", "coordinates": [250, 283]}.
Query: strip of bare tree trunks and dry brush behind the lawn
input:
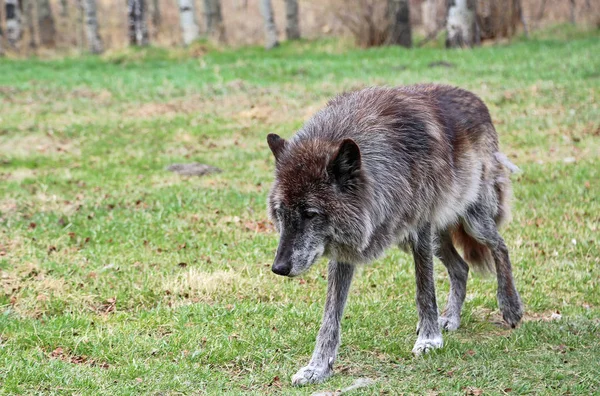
{"type": "Point", "coordinates": [34, 26]}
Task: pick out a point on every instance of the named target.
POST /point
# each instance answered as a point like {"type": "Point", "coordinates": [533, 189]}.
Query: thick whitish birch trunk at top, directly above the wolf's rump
{"type": "Point", "coordinates": [461, 24]}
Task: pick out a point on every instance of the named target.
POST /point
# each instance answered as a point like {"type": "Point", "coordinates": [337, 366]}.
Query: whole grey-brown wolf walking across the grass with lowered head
{"type": "Point", "coordinates": [416, 166]}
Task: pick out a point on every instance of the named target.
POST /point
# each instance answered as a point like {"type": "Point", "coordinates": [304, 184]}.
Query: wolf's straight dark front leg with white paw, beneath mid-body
{"type": "Point", "coordinates": [430, 336]}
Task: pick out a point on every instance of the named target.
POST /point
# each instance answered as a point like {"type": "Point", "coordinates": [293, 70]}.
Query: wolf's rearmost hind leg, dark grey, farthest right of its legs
{"type": "Point", "coordinates": [482, 227]}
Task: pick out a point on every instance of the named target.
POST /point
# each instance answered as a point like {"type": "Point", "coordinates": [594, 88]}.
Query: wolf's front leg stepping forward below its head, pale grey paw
{"type": "Point", "coordinates": [328, 339]}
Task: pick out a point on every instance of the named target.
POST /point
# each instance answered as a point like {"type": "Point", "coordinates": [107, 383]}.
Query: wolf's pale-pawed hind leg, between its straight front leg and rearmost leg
{"type": "Point", "coordinates": [458, 271]}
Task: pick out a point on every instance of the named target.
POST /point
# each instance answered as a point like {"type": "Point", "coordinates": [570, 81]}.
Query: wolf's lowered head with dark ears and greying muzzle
{"type": "Point", "coordinates": [315, 199]}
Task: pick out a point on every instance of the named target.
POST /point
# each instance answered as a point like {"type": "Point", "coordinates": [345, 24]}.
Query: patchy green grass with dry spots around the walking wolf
{"type": "Point", "coordinates": [118, 277]}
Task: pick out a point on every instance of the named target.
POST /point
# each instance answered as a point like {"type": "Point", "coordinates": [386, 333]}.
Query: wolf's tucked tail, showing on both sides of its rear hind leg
{"type": "Point", "coordinates": [476, 254]}
